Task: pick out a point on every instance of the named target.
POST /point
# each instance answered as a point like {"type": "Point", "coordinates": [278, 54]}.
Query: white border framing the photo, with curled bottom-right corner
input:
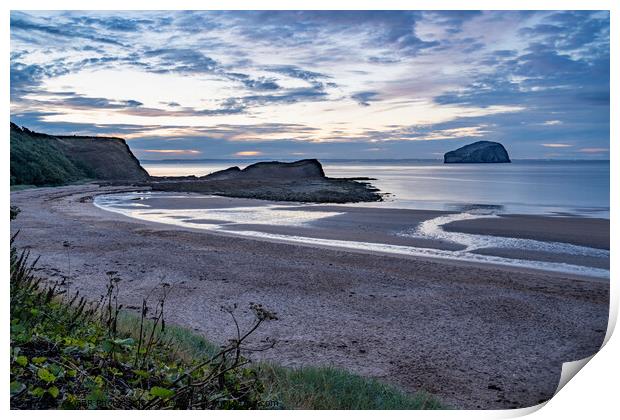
{"type": "Point", "coordinates": [593, 394]}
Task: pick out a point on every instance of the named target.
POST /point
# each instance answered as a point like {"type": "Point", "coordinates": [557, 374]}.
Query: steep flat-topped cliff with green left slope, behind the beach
{"type": "Point", "coordinates": [42, 159]}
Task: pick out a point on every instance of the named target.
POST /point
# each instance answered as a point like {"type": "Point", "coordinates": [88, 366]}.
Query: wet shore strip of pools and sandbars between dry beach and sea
{"type": "Point", "coordinates": [385, 231]}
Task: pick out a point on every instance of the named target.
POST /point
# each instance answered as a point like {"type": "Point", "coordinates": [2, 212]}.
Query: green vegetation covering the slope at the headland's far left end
{"type": "Point", "coordinates": [37, 160]}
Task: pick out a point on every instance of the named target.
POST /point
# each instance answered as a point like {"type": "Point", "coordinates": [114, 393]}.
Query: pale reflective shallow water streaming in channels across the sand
{"type": "Point", "coordinates": [219, 219]}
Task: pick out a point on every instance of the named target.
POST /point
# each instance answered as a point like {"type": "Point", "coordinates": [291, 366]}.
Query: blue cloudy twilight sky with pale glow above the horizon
{"type": "Point", "coordinates": [317, 84]}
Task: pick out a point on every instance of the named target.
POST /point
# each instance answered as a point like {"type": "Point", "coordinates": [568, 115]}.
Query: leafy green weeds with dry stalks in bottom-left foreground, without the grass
{"type": "Point", "coordinates": [67, 352]}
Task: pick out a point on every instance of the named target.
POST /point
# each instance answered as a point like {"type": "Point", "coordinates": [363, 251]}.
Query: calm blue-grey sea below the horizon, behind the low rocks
{"type": "Point", "coordinates": [527, 186]}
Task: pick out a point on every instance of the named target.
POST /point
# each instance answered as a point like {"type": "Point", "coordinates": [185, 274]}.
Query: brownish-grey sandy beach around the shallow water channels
{"type": "Point", "coordinates": [476, 335]}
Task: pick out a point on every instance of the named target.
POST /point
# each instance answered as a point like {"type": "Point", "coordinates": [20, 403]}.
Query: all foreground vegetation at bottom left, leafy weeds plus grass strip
{"type": "Point", "coordinates": [69, 353]}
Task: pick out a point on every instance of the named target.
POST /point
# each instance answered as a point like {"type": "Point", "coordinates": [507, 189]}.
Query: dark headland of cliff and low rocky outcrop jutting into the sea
{"type": "Point", "coordinates": [46, 160]}
